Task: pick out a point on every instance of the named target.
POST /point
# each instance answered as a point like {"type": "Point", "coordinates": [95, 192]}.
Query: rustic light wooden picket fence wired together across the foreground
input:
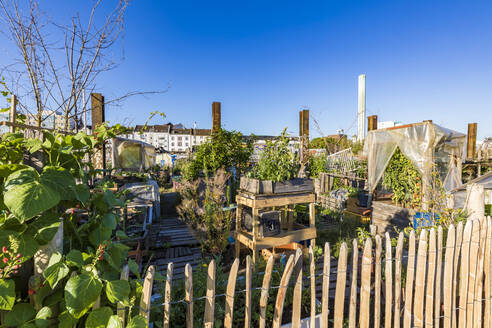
{"type": "Point", "coordinates": [445, 285]}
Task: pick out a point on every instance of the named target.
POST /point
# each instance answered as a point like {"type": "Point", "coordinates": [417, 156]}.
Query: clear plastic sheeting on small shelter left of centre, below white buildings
{"type": "Point", "coordinates": [132, 154]}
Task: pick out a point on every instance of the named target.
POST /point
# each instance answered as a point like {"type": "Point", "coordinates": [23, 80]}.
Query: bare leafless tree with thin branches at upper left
{"type": "Point", "coordinates": [52, 75]}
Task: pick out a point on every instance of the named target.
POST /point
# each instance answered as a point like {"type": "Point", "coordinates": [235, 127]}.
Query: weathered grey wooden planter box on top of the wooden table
{"type": "Point", "coordinates": [257, 186]}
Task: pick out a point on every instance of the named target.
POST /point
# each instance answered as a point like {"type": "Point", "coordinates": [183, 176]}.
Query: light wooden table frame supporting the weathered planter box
{"type": "Point", "coordinates": [291, 231]}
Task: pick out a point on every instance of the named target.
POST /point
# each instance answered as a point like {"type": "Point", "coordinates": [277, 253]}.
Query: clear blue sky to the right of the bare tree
{"type": "Point", "coordinates": [264, 60]}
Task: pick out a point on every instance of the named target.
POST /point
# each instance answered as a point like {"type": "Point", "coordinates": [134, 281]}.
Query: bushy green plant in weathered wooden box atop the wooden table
{"type": "Point", "coordinates": [276, 171]}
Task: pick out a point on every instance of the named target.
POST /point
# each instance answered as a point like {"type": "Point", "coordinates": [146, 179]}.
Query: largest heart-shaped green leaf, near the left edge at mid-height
{"type": "Point", "coordinates": [26, 197]}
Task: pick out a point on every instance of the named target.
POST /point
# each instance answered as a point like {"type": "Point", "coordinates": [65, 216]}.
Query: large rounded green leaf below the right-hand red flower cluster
{"type": "Point", "coordinates": [81, 292]}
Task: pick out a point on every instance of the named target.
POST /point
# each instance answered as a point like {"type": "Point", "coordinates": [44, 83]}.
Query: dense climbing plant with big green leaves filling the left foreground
{"type": "Point", "coordinates": [34, 202]}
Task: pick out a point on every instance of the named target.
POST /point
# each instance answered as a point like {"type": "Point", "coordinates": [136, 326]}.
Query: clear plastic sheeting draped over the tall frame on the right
{"type": "Point", "coordinates": [424, 144]}
